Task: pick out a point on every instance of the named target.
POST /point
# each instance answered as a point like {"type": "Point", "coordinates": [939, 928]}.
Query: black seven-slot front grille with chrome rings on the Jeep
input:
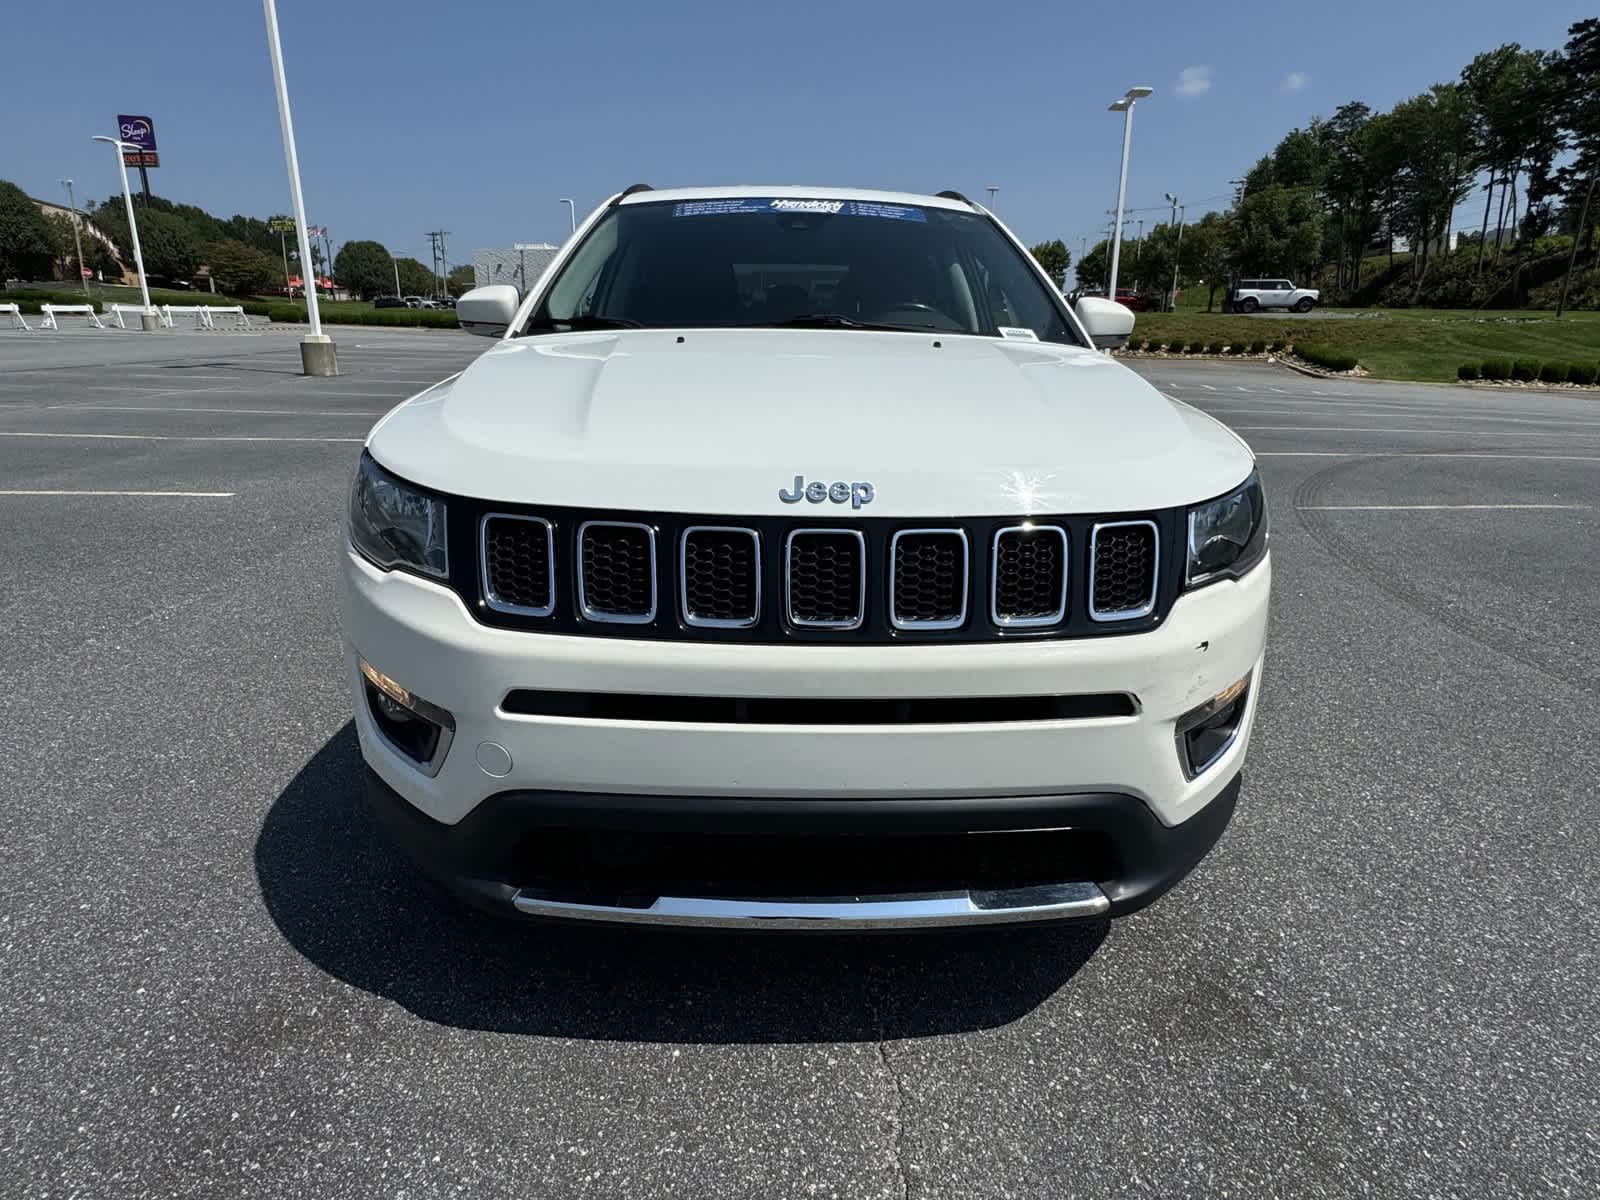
{"type": "Point", "coordinates": [764, 580]}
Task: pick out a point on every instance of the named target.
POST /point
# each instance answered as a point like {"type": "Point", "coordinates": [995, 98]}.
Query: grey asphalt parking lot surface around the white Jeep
{"type": "Point", "coordinates": [218, 982]}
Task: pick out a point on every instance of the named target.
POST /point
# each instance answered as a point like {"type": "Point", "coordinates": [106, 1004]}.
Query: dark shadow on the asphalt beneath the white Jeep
{"type": "Point", "coordinates": [358, 910]}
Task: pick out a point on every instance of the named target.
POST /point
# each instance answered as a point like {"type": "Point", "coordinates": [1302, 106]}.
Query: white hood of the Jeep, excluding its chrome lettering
{"type": "Point", "coordinates": [718, 422]}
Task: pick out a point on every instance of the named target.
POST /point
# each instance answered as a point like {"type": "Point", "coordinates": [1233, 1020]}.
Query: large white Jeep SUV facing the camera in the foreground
{"type": "Point", "coordinates": [794, 561]}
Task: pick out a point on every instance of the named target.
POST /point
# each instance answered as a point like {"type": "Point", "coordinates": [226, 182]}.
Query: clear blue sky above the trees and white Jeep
{"type": "Point", "coordinates": [479, 116]}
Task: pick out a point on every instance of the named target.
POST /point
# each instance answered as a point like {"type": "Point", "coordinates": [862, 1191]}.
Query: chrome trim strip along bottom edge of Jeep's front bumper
{"type": "Point", "coordinates": [1055, 902]}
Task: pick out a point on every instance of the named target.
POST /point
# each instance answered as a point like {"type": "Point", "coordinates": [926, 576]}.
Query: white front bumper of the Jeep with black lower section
{"type": "Point", "coordinates": [1116, 780]}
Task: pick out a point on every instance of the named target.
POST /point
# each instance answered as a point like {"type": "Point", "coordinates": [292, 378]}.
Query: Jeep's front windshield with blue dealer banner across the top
{"type": "Point", "coordinates": [748, 262]}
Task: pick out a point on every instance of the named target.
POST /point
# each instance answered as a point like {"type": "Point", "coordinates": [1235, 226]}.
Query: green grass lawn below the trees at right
{"type": "Point", "coordinates": [1401, 343]}
